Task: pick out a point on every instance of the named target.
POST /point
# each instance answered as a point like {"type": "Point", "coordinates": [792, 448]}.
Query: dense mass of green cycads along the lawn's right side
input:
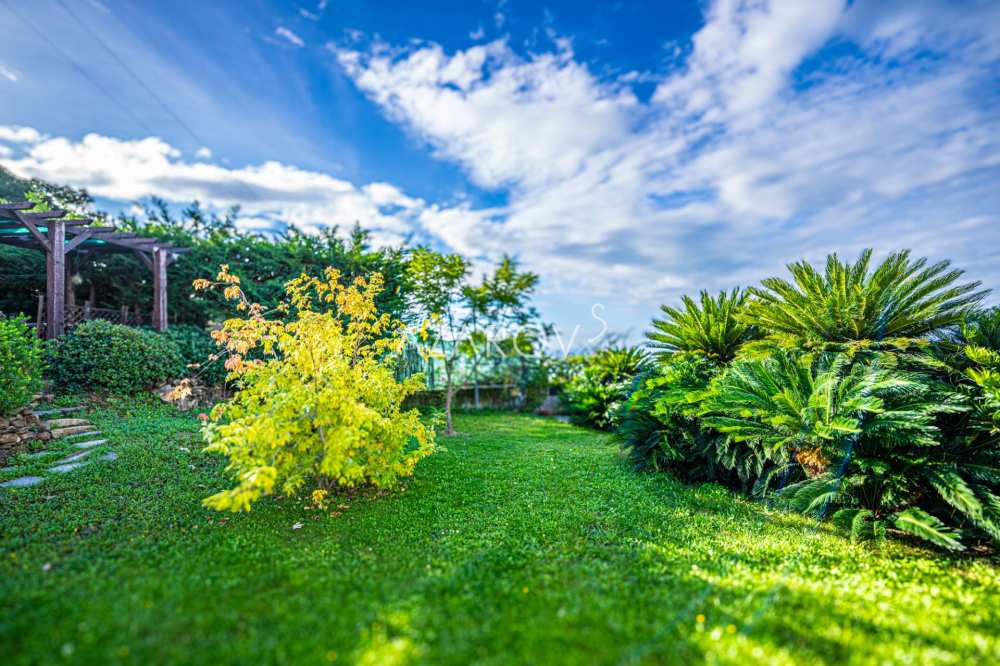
{"type": "Point", "coordinates": [866, 394]}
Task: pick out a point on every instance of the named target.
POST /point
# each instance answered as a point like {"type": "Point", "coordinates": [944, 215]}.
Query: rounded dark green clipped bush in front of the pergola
{"type": "Point", "coordinates": [100, 356]}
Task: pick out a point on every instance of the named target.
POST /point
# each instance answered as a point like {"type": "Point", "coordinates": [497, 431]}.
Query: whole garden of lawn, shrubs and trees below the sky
{"type": "Point", "coordinates": [340, 454]}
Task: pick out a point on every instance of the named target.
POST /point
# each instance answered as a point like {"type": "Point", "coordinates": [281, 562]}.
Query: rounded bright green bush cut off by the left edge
{"type": "Point", "coordinates": [20, 365]}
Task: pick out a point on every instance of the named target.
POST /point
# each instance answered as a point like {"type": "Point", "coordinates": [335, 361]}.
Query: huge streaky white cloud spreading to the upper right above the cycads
{"type": "Point", "coordinates": [751, 151]}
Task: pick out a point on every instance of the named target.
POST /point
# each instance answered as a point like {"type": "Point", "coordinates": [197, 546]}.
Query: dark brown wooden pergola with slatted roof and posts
{"type": "Point", "coordinates": [57, 237]}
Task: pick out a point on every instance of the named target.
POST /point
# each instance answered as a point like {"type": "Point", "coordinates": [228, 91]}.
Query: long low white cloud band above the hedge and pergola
{"type": "Point", "coordinates": [269, 194]}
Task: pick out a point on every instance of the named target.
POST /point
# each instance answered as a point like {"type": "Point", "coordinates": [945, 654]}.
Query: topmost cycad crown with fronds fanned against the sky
{"type": "Point", "coordinates": [900, 300]}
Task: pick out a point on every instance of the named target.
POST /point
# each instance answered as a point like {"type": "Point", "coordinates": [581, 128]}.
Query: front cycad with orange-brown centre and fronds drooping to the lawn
{"type": "Point", "coordinates": [868, 431]}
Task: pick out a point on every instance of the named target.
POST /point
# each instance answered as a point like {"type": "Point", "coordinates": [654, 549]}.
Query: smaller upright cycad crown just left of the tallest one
{"type": "Point", "coordinates": [713, 327]}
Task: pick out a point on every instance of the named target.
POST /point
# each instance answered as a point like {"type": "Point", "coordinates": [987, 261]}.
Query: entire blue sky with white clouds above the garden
{"type": "Point", "coordinates": [629, 152]}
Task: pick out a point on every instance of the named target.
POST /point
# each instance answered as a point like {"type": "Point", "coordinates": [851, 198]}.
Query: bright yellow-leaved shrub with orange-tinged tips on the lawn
{"type": "Point", "coordinates": [317, 404]}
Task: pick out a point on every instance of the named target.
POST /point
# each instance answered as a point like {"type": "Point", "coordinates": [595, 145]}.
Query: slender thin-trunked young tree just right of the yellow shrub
{"type": "Point", "coordinates": [436, 289]}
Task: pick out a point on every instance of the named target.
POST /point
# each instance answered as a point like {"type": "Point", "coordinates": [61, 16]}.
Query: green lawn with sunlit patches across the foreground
{"type": "Point", "coordinates": [524, 541]}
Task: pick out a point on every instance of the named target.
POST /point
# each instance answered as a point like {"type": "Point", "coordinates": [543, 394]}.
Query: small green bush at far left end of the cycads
{"type": "Point", "coordinates": [594, 395]}
